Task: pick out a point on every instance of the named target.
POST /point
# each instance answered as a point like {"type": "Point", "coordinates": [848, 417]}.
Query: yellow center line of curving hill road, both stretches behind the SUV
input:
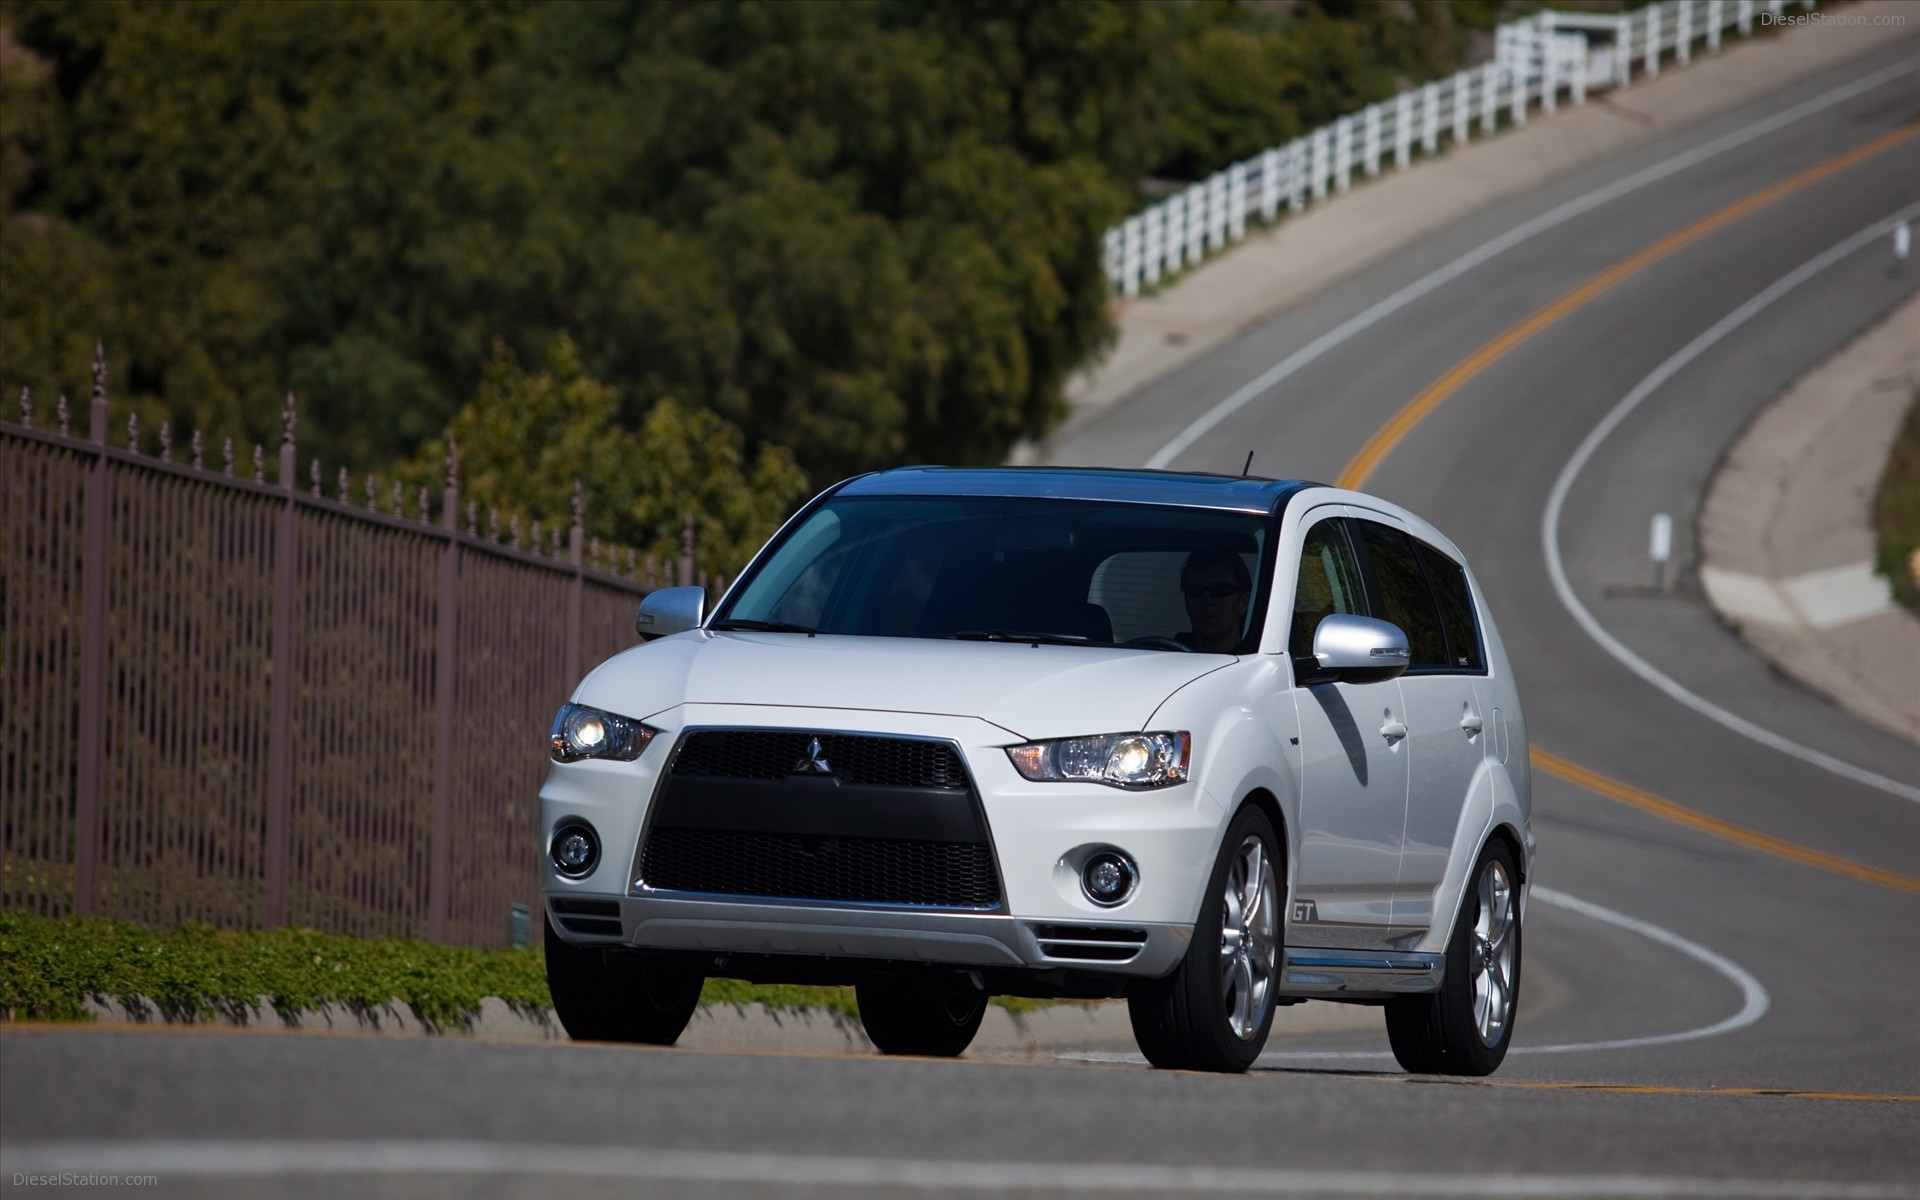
{"type": "Point", "coordinates": [1435, 395]}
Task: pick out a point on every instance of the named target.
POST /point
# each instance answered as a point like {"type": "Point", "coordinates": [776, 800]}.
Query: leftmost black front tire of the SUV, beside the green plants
{"type": "Point", "coordinates": [619, 997]}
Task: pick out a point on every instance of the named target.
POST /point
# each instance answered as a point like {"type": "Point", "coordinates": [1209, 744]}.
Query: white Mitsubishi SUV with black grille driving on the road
{"type": "Point", "coordinates": [1207, 744]}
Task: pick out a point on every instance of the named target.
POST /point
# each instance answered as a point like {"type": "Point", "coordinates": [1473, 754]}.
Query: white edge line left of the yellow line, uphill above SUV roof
{"type": "Point", "coordinates": [1508, 241]}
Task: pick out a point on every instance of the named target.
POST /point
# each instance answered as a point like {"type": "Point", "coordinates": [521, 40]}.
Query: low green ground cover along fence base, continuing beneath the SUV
{"type": "Point", "coordinates": [49, 971]}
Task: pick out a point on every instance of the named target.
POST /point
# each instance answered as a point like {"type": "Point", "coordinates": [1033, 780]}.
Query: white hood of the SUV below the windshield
{"type": "Point", "coordinates": [1028, 690]}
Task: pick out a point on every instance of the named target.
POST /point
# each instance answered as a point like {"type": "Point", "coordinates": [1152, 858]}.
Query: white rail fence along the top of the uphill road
{"type": "Point", "coordinates": [1537, 62]}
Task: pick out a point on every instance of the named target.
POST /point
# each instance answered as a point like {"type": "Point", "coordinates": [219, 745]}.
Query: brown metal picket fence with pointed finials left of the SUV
{"type": "Point", "coordinates": [247, 704]}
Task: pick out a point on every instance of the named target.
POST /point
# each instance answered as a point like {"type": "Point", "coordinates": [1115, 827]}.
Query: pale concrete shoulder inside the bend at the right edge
{"type": "Point", "coordinates": [1787, 531]}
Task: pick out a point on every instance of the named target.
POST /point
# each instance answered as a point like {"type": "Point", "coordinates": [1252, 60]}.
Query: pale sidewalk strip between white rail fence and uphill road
{"type": "Point", "coordinates": [1285, 266]}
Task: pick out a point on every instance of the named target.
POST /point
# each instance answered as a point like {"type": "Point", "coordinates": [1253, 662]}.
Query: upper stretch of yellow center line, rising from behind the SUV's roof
{"type": "Point", "coordinates": [1389, 435]}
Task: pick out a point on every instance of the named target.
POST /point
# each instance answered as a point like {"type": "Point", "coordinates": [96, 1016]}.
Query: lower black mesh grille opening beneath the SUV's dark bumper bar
{"type": "Point", "coordinates": [821, 869]}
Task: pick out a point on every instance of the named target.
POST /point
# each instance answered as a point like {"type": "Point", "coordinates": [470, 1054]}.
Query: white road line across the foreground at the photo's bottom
{"type": "Point", "coordinates": [636, 1166]}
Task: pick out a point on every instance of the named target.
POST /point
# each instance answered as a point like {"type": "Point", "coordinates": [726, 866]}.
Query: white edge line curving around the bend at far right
{"type": "Point", "coordinates": [1550, 521]}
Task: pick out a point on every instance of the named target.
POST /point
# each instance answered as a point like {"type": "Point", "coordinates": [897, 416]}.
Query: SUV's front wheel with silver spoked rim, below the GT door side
{"type": "Point", "coordinates": [1191, 1020]}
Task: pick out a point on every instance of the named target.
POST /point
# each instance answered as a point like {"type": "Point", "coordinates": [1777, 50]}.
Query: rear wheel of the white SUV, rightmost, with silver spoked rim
{"type": "Point", "coordinates": [1451, 1032]}
